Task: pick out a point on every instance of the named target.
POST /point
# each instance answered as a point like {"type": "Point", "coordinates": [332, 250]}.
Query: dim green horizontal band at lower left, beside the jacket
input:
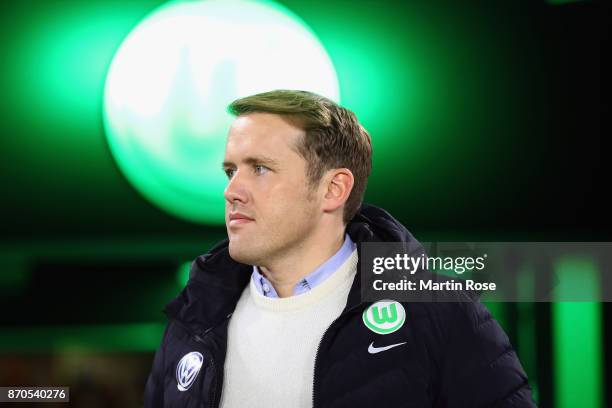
{"type": "Point", "coordinates": [127, 337]}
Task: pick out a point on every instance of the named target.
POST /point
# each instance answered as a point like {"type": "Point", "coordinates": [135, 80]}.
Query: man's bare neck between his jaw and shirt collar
{"type": "Point", "coordinates": [284, 273]}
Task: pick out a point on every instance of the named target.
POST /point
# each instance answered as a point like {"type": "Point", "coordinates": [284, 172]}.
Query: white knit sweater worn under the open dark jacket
{"type": "Point", "coordinates": [272, 342]}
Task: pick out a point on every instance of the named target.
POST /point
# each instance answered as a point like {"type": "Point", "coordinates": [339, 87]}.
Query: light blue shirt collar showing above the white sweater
{"type": "Point", "coordinates": [311, 280]}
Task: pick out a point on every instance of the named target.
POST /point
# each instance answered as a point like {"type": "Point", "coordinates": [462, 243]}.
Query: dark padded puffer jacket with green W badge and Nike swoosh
{"type": "Point", "coordinates": [455, 354]}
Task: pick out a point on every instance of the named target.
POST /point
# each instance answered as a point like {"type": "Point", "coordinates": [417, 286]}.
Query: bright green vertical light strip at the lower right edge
{"type": "Point", "coordinates": [577, 332]}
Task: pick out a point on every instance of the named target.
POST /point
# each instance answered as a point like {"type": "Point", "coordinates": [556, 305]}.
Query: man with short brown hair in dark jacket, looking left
{"type": "Point", "coordinates": [273, 317]}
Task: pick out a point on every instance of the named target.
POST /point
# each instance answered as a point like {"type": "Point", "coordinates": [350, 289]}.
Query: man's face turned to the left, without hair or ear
{"type": "Point", "coordinates": [270, 208]}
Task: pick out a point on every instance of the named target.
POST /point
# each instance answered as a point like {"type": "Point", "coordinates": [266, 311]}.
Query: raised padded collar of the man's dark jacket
{"type": "Point", "coordinates": [216, 281]}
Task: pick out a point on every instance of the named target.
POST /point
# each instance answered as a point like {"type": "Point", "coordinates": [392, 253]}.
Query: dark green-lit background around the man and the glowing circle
{"type": "Point", "coordinates": [488, 120]}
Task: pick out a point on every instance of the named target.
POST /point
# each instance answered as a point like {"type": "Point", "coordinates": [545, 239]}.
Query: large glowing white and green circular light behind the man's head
{"type": "Point", "coordinates": [171, 80]}
